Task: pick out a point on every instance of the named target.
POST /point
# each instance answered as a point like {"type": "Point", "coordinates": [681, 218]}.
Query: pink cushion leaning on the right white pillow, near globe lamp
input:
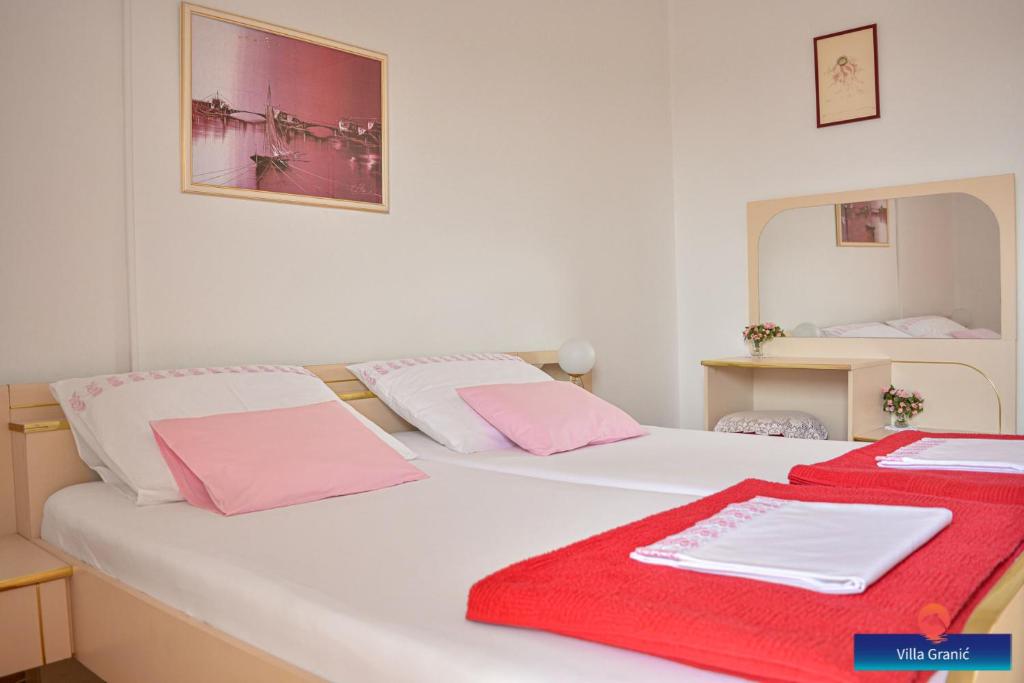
{"type": "Point", "coordinates": [550, 417]}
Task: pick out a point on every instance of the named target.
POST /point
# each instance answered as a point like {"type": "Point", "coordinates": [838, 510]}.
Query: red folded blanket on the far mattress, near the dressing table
{"type": "Point", "coordinates": [858, 469]}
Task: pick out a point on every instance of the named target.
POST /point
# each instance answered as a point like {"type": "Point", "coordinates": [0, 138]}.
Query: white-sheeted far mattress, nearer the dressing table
{"type": "Point", "coordinates": [673, 461]}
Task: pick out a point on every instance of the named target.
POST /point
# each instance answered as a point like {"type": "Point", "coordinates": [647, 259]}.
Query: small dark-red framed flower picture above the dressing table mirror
{"type": "Point", "coordinates": [846, 76]}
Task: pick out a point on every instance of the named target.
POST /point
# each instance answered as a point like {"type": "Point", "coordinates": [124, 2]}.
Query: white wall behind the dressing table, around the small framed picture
{"type": "Point", "coordinates": [744, 130]}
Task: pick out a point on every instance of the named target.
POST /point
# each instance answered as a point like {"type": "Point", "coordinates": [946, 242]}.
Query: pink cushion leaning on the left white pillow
{"type": "Point", "coordinates": [243, 462]}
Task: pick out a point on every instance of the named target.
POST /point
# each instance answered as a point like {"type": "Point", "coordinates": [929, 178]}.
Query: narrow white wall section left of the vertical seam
{"type": "Point", "coordinates": [63, 284]}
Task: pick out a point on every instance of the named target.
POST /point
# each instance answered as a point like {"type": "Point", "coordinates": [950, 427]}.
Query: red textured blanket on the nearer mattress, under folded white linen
{"type": "Point", "coordinates": [593, 591]}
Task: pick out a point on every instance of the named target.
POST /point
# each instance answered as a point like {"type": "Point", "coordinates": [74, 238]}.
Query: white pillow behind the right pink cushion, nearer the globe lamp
{"type": "Point", "coordinates": [423, 392]}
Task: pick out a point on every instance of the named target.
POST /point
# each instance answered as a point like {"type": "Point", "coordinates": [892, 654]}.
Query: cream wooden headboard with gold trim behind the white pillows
{"type": "Point", "coordinates": [32, 414]}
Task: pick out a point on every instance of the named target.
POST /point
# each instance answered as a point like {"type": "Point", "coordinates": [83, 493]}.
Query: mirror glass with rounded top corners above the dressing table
{"type": "Point", "coordinates": [932, 270]}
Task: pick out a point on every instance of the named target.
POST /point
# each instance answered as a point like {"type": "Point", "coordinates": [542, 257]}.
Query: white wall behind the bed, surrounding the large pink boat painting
{"type": "Point", "coordinates": [531, 195]}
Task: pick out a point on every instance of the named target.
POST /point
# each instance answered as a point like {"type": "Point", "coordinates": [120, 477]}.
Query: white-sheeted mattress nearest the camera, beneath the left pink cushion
{"type": "Point", "coordinates": [370, 587]}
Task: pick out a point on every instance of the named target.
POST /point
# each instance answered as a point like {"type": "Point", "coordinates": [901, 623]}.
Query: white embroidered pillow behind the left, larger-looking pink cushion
{"type": "Point", "coordinates": [110, 416]}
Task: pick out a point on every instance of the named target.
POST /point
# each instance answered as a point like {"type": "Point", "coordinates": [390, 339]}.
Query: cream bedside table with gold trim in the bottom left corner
{"type": "Point", "coordinates": [36, 625]}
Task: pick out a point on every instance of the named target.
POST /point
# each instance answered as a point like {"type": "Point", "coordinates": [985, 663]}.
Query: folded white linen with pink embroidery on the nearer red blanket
{"type": "Point", "coordinates": [838, 548]}
